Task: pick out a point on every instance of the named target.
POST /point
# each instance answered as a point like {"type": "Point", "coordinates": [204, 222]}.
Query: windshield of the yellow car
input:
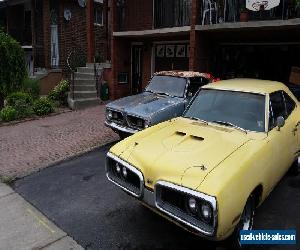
{"type": "Point", "coordinates": [229, 108]}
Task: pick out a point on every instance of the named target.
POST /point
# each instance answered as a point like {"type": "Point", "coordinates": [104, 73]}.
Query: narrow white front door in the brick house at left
{"type": "Point", "coordinates": [54, 40]}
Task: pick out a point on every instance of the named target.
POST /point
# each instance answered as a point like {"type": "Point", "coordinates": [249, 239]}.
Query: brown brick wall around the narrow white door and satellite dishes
{"type": "Point", "coordinates": [71, 34]}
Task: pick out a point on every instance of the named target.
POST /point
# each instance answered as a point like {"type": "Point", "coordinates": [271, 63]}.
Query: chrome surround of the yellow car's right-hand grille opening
{"type": "Point", "coordinates": [210, 199]}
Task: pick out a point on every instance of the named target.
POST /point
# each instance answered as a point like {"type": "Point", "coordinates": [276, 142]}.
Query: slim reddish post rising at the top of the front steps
{"type": "Point", "coordinates": [90, 31]}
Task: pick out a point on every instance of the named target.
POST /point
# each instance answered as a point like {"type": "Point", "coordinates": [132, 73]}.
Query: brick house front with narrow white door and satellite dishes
{"type": "Point", "coordinates": [50, 30]}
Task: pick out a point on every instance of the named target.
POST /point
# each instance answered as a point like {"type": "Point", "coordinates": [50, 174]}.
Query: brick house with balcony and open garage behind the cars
{"type": "Point", "coordinates": [208, 36]}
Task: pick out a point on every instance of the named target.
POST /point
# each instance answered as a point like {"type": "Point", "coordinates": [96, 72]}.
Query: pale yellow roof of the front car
{"type": "Point", "coordinates": [248, 85]}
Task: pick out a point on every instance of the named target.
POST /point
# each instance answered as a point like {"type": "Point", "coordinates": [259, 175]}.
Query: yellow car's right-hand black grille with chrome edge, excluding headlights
{"type": "Point", "coordinates": [173, 201]}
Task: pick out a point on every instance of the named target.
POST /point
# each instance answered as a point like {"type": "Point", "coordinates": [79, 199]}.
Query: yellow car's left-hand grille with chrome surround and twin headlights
{"type": "Point", "coordinates": [132, 182]}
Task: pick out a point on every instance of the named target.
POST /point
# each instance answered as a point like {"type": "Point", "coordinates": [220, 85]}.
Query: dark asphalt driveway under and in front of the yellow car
{"type": "Point", "coordinates": [77, 197]}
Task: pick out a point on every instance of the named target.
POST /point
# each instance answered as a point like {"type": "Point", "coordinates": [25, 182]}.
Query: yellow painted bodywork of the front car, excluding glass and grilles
{"type": "Point", "coordinates": [235, 163]}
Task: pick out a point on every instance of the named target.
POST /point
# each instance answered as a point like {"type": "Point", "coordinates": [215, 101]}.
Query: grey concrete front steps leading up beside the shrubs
{"type": "Point", "coordinates": [85, 93]}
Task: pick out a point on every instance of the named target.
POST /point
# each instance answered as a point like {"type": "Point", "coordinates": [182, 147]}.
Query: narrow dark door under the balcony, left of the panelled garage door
{"type": "Point", "coordinates": [136, 82]}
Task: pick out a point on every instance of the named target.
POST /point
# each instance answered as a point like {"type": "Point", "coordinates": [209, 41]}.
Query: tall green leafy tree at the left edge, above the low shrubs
{"type": "Point", "coordinates": [12, 66]}
